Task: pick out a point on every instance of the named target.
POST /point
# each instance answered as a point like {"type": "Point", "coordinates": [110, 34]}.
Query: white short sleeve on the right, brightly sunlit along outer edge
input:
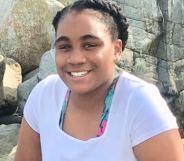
{"type": "Point", "coordinates": [150, 115]}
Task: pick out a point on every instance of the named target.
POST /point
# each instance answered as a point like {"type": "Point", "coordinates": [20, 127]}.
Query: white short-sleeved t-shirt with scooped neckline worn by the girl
{"type": "Point", "coordinates": [137, 113]}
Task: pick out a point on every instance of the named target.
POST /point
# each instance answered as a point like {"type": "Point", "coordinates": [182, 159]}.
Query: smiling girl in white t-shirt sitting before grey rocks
{"type": "Point", "coordinates": [85, 113]}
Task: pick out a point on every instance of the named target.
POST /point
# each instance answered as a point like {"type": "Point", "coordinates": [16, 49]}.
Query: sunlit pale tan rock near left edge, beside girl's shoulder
{"type": "Point", "coordinates": [12, 78]}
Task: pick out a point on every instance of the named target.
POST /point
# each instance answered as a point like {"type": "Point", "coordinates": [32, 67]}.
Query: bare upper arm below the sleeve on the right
{"type": "Point", "coordinates": [166, 146]}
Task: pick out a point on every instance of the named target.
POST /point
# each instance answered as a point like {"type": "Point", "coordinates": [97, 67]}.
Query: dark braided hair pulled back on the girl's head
{"type": "Point", "coordinates": [110, 14]}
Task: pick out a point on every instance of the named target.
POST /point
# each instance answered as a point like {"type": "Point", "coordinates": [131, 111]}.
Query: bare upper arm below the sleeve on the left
{"type": "Point", "coordinates": [28, 148]}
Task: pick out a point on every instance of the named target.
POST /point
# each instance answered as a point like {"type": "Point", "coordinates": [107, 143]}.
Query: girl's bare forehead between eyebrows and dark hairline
{"type": "Point", "coordinates": [75, 24]}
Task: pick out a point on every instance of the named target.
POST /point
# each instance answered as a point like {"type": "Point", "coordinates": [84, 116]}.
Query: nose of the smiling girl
{"type": "Point", "coordinates": [76, 57]}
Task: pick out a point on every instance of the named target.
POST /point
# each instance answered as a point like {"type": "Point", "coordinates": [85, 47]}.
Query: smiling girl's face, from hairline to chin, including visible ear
{"type": "Point", "coordinates": [85, 52]}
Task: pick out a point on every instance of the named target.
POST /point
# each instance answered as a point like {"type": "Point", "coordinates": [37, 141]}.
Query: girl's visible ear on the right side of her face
{"type": "Point", "coordinates": [118, 46]}
